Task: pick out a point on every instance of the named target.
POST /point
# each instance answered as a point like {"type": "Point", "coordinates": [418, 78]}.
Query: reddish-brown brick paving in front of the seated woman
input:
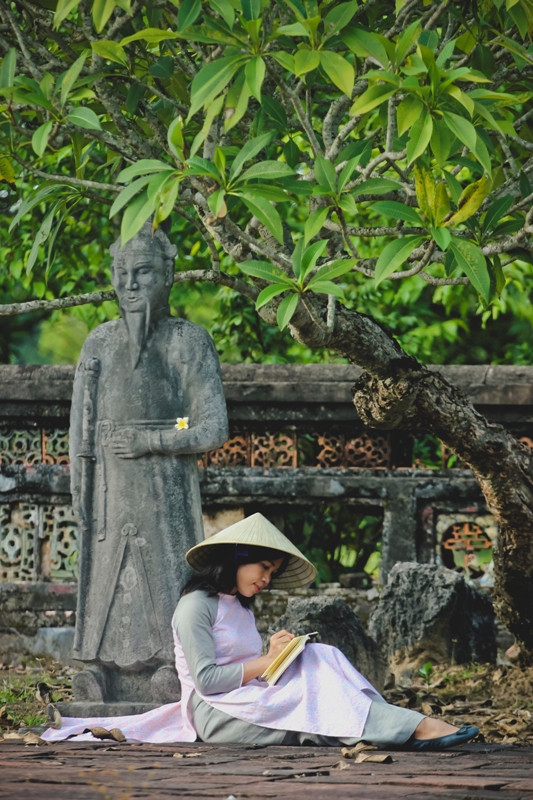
{"type": "Point", "coordinates": [86, 771]}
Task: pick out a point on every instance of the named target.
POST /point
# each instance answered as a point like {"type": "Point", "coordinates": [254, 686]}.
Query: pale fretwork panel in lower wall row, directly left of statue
{"type": "Point", "coordinates": [60, 544]}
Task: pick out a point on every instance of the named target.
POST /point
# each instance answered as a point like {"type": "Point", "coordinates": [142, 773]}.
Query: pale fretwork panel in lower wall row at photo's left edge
{"type": "Point", "coordinates": [19, 542]}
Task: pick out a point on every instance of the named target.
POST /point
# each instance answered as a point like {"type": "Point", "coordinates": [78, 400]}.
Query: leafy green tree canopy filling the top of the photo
{"type": "Point", "coordinates": [309, 148]}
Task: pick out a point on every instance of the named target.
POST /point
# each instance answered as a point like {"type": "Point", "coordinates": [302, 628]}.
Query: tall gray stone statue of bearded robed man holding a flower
{"type": "Point", "coordinates": [147, 400]}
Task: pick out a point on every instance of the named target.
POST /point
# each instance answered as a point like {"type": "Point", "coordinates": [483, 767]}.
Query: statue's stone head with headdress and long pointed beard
{"type": "Point", "coordinates": [142, 275]}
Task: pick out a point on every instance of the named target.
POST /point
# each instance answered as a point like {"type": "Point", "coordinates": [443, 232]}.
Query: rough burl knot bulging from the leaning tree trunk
{"type": "Point", "coordinates": [387, 403]}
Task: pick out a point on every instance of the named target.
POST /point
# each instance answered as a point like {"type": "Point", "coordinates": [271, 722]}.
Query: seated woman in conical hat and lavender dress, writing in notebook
{"type": "Point", "coordinates": [320, 699]}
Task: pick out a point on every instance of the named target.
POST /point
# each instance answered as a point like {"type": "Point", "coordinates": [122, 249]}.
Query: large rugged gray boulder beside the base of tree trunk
{"type": "Point", "coordinates": [429, 613]}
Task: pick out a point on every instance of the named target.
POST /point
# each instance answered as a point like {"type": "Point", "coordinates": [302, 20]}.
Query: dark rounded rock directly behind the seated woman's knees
{"type": "Point", "coordinates": [339, 626]}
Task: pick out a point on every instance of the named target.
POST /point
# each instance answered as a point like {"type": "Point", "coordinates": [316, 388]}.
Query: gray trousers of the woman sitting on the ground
{"type": "Point", "coordinates": [386, 726]}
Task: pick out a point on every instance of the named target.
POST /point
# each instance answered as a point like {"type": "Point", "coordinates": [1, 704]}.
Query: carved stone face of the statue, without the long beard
{"type": "Point", "coordinates": [140, 280]}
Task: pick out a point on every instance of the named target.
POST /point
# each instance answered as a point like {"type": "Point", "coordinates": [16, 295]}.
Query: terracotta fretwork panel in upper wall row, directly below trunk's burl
{"type": "Point", "coordinates": [367, 451]}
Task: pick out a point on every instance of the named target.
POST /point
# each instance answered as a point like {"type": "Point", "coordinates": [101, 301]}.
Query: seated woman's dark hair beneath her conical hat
{"type": "Point", "coordinates": [220, 574]}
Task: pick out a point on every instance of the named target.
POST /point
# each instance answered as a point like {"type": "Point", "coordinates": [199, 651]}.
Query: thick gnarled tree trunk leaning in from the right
{"type": "Point", "coordinates": [398, 391]}
